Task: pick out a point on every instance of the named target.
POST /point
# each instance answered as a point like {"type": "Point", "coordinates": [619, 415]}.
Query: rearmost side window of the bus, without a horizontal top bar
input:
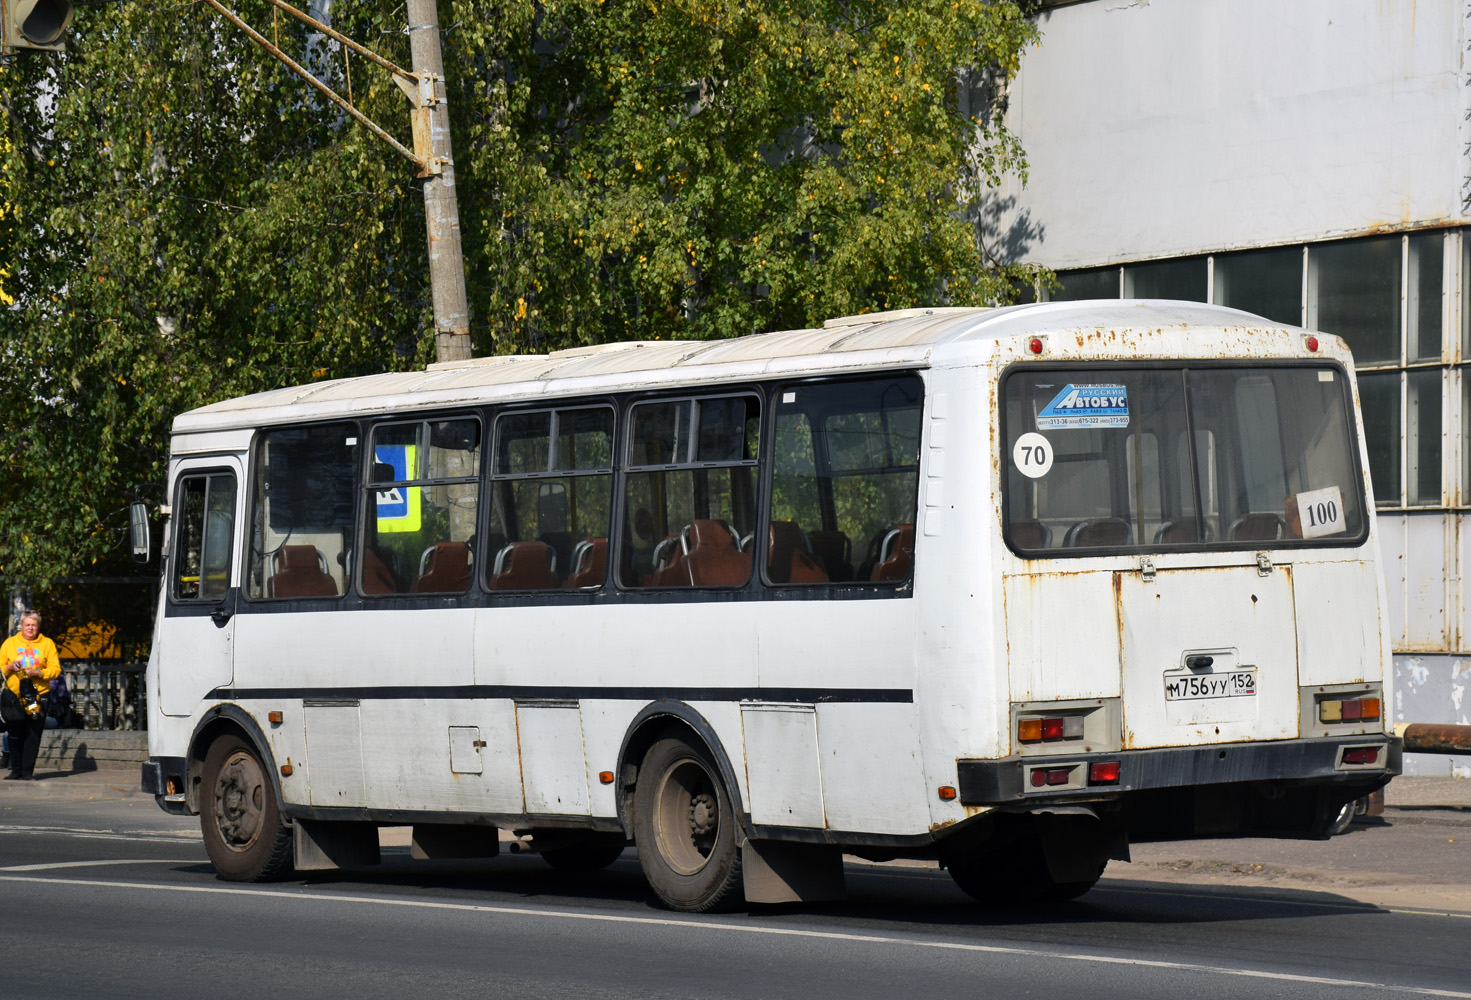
{"type": "Point", "coordinates": [845, 479]}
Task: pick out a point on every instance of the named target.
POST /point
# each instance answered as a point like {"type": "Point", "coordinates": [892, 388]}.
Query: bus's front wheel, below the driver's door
{"type": "Point", "coordinates": [241, 817]}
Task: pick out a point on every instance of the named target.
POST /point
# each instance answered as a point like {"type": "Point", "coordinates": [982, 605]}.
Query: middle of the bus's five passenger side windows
{"type": "Point", "coordinates": [552, 487]}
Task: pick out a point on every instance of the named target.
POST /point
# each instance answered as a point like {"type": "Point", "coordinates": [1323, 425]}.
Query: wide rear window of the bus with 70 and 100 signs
{"type": "Point", "coordinates": [1175, 458]}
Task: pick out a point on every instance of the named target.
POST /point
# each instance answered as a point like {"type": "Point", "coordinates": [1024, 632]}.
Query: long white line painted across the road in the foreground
{"type": "Point", "coordinates": [745, 929]}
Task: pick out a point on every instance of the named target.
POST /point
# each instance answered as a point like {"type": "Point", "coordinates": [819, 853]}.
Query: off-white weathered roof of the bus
{"type": "Point", "coordinates": [902, 339]}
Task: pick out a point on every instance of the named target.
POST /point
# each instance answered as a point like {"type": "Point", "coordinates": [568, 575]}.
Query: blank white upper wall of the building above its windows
{"type": "Point", "coordinates": [1160, 129]}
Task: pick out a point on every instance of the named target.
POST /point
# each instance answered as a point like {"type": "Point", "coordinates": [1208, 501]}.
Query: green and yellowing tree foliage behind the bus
{"type": "Point", "coordinates": [185, 221]}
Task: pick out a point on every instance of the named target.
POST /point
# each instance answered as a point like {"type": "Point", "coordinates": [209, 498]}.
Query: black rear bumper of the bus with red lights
{"type": "Point", "coordinates": [1072, 777]}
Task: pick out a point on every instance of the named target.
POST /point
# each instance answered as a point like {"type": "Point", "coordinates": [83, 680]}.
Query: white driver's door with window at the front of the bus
{"type": "Point", "coordinates": [202, 574]}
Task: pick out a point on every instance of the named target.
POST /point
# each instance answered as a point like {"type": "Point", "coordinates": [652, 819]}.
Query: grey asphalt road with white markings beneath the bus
{"type": "Point", "coordinates": [121, 904]}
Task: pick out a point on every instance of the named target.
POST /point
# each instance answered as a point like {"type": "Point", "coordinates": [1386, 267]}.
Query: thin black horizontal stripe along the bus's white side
{"type": "Point", "coordinates": [533, 693]}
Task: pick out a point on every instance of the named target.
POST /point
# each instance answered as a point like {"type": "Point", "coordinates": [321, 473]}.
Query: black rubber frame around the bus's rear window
{"type": "Point", "coordinates": [1182, 367]}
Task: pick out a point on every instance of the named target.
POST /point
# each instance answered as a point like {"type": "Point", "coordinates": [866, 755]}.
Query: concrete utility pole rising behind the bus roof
{"type": "Point", "coordinates": [441, 204]}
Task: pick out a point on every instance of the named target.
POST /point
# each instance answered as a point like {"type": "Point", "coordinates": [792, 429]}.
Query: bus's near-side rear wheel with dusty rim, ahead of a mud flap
{"type": "Point", "coordinates": [685, 827]}
